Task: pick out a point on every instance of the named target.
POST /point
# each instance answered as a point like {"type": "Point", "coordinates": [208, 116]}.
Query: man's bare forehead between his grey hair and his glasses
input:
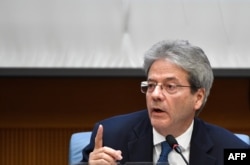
{"type": "Point", "coordinates": [162, 70]}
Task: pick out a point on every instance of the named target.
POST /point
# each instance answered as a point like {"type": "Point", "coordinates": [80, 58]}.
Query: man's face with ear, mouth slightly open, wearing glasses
{"type": "Point", "coordinates": [171, 112]}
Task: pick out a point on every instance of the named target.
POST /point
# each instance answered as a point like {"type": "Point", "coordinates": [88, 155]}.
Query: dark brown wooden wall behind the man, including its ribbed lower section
{"type": "Point", "coordinates": [38, 115]}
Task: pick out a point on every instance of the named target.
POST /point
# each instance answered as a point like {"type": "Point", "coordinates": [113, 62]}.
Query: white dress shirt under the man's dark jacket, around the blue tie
{"type": "Point", "coordinates": [173, 158]}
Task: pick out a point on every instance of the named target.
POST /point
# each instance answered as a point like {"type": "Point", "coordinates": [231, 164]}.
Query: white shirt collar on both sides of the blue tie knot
{"type": "Point", "coordinates": [183, 140]}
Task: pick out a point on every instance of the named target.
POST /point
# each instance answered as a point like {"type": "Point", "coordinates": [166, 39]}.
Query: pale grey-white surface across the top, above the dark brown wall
{"type": "Point", "coordinates": [116, 33]}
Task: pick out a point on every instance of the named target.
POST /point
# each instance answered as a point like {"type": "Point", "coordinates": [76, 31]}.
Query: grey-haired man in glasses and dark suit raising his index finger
{"type": "Point", "coordinates": [179, 79]}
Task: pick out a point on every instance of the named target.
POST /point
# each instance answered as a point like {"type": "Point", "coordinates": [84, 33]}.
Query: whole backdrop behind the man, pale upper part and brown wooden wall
{"type": "Point", "coordinates": [66, 64]}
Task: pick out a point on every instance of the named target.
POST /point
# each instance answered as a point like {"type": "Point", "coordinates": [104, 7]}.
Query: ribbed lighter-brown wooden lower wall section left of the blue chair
{"type": "Point", "coordinates": [34, 146]}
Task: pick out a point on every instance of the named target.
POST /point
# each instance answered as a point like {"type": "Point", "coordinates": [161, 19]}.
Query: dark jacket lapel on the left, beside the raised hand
{"type": "Point", "coordinates": [140, 145]}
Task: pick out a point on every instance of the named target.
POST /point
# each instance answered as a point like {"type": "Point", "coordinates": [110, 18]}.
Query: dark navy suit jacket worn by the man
{"type": "Point", "coordinates": [132, 134]}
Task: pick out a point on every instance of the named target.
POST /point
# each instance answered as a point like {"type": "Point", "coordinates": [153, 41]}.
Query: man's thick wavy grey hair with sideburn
{"type": "Point", "coordinates": [188, 57]}
